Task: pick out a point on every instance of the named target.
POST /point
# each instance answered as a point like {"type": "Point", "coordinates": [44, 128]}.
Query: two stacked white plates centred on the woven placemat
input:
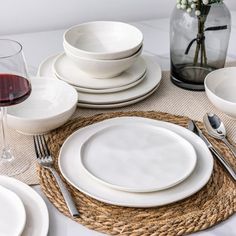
{"type": "Point", "coordinates": [136, 162]}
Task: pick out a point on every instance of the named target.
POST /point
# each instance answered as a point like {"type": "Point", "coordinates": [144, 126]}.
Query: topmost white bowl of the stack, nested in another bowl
{"type": "Point", "coordinates": [105, 40]}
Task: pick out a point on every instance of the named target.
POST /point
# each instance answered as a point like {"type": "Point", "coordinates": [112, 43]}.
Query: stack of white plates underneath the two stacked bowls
{"type": "Point", "coordinates": [138, 82]}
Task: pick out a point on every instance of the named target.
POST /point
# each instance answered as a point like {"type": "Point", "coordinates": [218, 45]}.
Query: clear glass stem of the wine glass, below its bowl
{"type": "Point", "coordinates": [6, 152]}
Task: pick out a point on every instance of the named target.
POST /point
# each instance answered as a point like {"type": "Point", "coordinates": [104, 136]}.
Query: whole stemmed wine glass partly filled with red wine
{"type": "Point", "coordinates": [15, 87]}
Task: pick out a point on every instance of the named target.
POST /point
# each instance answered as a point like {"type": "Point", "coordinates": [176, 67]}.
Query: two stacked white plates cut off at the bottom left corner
{"type": "Point", "coordinates": [23, 211]}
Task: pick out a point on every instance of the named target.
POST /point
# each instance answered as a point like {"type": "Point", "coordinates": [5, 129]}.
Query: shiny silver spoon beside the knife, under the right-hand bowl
{"type": "Point", "coordinates": [216, 129]}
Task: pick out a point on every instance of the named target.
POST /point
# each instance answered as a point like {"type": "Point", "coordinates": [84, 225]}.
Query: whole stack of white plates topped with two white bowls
{"type": "Point", "coordinates": [103, 62]}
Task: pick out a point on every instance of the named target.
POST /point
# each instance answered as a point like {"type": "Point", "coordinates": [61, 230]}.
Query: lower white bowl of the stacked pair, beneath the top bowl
{"type": "Point", "coordinates": [103, 69]}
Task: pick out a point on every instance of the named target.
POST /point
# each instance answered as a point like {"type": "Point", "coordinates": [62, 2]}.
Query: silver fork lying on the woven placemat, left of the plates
{"type": "Point", "coordinates": [45, 159]}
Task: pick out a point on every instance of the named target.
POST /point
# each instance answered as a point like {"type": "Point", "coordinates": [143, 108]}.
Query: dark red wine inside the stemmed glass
{"type": "Point", "coordinates": [14, 89]}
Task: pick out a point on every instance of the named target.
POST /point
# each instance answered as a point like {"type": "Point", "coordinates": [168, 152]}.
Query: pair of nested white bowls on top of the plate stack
{"type": "Point", "coordinates": [103, 49]}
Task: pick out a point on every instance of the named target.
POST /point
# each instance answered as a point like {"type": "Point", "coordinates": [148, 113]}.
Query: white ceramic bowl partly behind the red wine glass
{"type": "Point", "coordinates": [51, 103]}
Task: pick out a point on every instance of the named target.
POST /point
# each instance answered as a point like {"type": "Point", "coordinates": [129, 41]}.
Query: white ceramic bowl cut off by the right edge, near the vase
{"type": "Point", "coordinates": [220, 86]}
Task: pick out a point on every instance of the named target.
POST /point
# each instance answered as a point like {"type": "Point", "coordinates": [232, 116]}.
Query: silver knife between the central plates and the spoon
{"type": "Point", "coordinates": [193, 127]}
